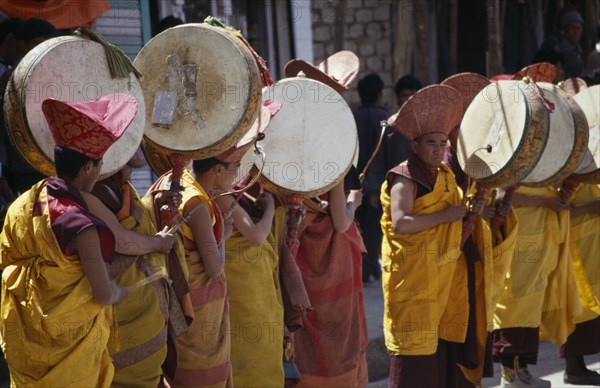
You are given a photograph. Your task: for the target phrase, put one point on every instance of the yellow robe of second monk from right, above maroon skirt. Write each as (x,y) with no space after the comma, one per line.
(540,288)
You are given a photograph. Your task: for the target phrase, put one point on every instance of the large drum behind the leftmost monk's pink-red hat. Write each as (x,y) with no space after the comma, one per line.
(71,69)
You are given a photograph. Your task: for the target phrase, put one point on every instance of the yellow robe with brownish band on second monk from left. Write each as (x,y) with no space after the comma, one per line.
(142,317)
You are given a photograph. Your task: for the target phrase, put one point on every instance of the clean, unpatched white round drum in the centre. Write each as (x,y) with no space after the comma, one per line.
(310,144)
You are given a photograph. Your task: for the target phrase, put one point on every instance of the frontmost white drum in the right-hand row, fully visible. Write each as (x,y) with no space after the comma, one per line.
(503,133)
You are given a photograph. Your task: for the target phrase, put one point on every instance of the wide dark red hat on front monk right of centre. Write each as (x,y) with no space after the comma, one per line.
(433,109)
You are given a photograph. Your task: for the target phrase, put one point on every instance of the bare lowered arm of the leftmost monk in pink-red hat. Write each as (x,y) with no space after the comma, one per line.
(87,246)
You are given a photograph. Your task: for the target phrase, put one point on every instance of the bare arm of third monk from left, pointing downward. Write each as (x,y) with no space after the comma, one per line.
(201,224)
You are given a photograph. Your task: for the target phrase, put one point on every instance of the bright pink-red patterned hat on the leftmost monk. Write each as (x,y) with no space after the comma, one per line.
(90,127)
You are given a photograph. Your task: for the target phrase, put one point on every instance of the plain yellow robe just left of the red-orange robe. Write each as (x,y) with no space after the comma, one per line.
(256,308)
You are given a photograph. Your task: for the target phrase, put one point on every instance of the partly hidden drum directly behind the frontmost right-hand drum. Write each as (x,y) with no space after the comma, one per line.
(567,140)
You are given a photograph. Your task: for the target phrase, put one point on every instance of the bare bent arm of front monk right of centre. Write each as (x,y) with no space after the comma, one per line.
(404,221)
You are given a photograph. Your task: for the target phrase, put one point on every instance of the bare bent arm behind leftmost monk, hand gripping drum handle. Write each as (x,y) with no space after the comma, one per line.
(128,241)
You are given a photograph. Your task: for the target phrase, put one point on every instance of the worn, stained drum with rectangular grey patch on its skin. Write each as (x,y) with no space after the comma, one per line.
(202,88)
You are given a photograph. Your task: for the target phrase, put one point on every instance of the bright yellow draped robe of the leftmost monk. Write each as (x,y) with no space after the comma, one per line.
(52,332)
